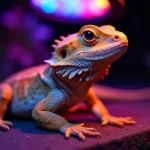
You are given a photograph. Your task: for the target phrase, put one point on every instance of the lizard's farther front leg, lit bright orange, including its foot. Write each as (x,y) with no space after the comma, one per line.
(102,113)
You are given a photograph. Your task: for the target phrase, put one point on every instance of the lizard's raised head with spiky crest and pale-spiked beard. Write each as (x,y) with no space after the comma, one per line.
(86,55)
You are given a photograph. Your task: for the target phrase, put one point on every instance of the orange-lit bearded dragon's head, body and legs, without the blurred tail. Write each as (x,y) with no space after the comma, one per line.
(45,91)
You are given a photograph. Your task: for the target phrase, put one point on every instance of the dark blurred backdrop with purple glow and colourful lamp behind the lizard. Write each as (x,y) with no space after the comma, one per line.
(29,27)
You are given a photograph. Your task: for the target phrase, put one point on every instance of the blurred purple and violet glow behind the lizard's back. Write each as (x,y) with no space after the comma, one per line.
(25,40)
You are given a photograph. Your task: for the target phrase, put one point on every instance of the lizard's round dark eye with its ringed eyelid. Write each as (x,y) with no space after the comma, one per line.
(89,37)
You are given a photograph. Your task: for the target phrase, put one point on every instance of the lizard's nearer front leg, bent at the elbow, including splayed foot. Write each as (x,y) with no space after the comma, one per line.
(44,114)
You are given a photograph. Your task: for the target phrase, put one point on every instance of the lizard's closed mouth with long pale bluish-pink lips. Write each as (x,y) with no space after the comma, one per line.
(117,51)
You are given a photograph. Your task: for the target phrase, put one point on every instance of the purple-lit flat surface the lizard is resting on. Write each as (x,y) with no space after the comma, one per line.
(26,134)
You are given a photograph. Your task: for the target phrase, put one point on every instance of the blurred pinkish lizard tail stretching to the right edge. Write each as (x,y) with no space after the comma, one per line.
(117,94)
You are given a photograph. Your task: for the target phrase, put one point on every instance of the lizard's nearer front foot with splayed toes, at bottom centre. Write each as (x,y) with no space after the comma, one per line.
(80,131)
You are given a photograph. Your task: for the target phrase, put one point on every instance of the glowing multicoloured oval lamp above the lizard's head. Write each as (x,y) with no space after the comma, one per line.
(72,10)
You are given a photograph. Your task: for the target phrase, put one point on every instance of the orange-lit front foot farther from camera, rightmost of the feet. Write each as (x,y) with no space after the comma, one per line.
(117,121)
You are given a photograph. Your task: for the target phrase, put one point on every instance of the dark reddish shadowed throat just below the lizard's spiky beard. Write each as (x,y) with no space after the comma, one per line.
(78,87)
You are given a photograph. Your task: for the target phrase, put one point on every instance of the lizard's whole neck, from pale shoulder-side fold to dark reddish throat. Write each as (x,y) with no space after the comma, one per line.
(74,87)
